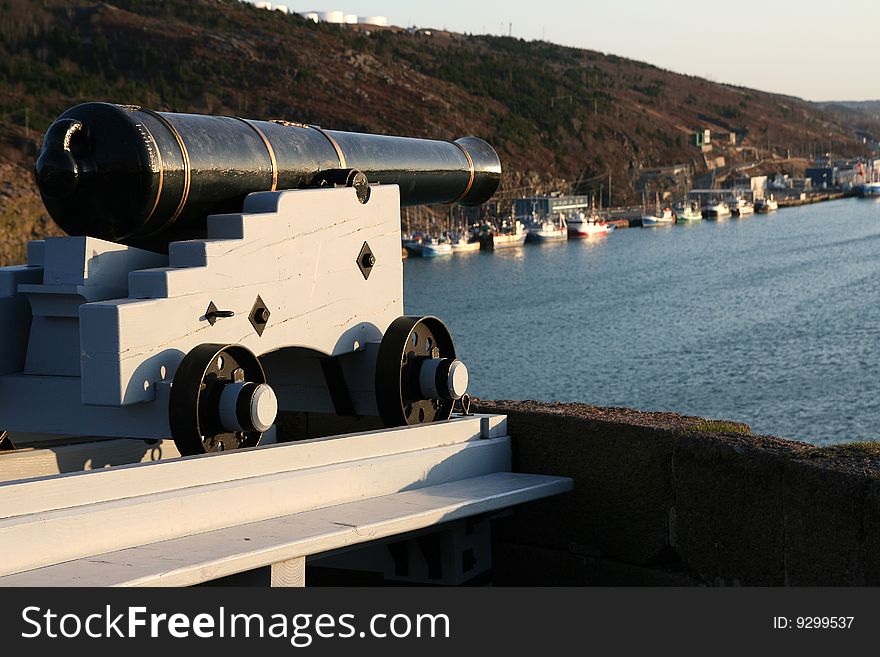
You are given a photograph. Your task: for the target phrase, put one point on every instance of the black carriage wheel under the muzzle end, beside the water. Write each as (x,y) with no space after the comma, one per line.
(408,344)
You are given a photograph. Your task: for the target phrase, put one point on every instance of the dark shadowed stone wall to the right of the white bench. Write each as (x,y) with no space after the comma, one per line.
(663,499)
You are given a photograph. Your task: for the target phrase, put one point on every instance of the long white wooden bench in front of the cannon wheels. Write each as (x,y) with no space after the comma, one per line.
(192,520)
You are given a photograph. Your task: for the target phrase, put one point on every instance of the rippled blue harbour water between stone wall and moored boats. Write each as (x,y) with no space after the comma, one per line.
(773,320)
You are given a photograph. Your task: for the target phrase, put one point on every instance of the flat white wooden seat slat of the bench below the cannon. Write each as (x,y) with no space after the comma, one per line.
(211,555)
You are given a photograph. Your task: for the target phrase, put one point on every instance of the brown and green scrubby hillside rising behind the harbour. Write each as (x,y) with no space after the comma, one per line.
(561,118)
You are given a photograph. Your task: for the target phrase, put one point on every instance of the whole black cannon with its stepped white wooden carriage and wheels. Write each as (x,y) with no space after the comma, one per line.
(217,270)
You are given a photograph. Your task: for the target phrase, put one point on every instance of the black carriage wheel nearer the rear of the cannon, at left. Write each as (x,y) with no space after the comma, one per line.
(195,406)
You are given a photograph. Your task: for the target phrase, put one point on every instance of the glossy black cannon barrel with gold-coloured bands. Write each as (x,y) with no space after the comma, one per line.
(136,176)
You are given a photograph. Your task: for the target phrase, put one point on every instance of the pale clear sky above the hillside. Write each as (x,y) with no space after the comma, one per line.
(814,50)
